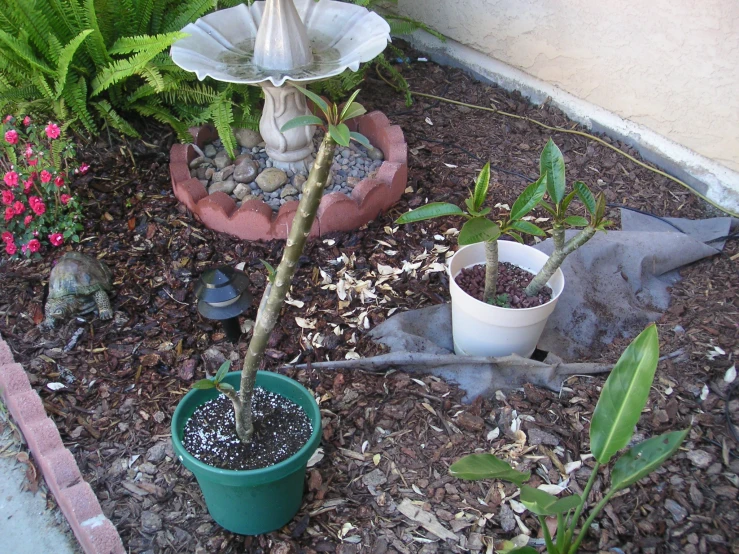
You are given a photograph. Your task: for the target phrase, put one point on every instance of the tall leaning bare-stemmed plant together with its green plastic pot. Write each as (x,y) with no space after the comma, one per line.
(255,501)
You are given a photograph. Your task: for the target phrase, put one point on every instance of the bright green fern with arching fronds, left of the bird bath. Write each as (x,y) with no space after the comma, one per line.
(94,63)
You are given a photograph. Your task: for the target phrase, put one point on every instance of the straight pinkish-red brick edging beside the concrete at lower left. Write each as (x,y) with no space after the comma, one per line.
(95,533)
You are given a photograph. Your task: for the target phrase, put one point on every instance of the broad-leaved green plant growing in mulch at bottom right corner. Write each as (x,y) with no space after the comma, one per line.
(617,412)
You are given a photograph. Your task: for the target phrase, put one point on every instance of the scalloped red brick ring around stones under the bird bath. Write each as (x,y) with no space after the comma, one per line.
(255,220)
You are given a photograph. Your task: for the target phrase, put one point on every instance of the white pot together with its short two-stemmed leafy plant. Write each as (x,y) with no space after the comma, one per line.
(499,319)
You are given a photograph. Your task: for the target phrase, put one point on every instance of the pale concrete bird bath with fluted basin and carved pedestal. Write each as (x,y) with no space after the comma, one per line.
(275,43)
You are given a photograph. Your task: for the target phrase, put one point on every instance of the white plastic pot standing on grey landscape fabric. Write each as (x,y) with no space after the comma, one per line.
(480,329)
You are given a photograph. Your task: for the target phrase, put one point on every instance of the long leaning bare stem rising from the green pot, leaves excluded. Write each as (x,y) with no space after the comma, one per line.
(306,213)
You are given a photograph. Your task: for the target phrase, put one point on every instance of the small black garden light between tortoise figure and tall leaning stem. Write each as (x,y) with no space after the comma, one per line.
(222,295)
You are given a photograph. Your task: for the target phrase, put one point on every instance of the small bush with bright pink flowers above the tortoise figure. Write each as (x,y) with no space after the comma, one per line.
(38,207)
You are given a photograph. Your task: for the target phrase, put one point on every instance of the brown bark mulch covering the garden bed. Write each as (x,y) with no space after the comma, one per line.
(390,437)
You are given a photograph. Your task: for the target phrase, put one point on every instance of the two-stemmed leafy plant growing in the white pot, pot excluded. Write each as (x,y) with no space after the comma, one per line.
(479,228)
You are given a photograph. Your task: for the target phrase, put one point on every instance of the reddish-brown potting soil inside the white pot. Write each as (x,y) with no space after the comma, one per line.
(512,281)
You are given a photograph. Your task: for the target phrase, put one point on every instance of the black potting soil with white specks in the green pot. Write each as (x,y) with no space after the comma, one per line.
(281,428)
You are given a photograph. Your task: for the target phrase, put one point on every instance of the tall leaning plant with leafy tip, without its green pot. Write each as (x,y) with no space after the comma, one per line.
(280,279)
